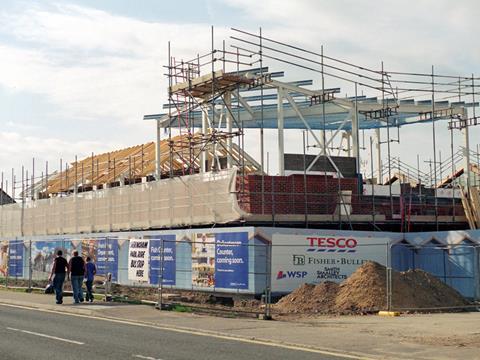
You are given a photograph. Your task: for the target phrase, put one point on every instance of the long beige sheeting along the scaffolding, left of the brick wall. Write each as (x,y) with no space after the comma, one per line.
(188,200)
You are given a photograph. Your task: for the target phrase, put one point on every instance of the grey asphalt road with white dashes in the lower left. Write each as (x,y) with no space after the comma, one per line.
(31,334)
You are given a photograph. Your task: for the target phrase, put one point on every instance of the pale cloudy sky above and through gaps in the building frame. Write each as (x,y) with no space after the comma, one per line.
(76,77)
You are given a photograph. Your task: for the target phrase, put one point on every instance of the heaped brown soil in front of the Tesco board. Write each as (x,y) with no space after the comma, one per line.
(365,291)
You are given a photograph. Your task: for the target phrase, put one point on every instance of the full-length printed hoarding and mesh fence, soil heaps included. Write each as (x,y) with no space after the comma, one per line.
(231,272)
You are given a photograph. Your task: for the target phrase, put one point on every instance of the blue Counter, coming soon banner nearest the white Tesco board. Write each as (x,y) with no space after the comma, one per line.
(231,260)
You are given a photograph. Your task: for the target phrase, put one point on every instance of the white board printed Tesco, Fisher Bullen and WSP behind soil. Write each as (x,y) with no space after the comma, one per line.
(299,259)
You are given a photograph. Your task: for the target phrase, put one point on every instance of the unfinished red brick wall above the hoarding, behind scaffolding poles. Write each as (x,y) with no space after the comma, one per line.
(318,194)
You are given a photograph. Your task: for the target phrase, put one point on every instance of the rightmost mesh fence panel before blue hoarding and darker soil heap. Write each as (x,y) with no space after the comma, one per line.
(434,277)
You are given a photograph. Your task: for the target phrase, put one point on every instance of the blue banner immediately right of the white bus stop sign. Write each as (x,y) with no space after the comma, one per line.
(168,259)
